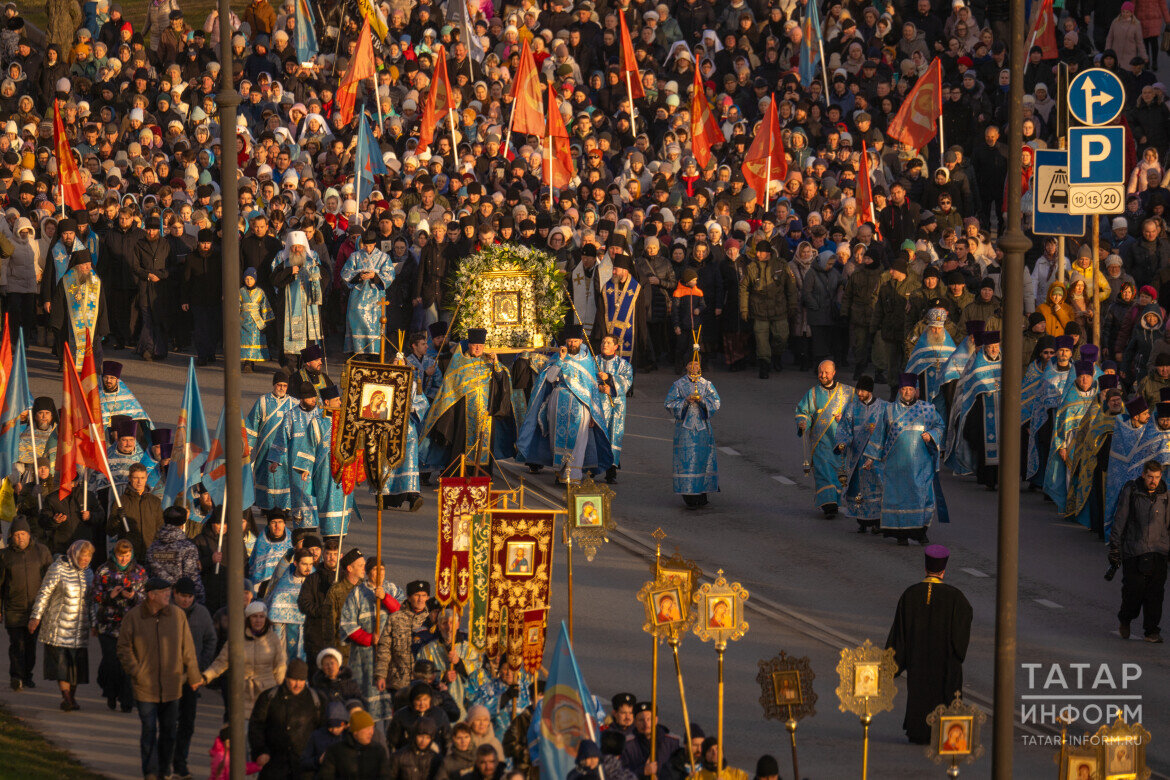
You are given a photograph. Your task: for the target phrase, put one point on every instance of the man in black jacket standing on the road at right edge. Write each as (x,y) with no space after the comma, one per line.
(1140,543)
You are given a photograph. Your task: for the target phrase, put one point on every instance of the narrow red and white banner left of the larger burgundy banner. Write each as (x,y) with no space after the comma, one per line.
(462,506)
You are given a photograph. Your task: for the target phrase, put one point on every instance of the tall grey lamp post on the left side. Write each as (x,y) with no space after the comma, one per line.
(229,100)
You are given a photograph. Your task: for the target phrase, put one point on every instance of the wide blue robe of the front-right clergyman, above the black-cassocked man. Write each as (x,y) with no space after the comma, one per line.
(912,496)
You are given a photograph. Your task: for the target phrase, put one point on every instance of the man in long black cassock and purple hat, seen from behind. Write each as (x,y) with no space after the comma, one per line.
(931,633)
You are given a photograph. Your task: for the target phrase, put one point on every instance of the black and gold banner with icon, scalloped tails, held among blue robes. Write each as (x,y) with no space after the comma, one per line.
(376,410)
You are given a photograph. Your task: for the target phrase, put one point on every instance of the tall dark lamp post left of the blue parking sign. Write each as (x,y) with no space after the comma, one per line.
(1014,244)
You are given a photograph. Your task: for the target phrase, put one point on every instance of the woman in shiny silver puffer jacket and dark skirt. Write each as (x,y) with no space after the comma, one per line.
(63,613)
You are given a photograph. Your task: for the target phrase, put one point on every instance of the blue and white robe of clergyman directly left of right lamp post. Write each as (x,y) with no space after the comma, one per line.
(982,378)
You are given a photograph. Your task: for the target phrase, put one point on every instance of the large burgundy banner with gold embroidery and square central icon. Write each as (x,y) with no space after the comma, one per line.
(520,568)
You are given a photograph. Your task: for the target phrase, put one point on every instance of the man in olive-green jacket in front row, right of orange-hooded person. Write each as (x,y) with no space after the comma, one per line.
(768,299)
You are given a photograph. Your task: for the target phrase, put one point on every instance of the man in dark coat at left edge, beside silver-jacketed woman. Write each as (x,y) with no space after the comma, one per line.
(23,567)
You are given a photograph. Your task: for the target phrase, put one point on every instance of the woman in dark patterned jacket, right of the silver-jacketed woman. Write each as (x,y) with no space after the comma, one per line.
(118,588)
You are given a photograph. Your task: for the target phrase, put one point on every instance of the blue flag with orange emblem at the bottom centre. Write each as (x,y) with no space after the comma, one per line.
(565,716)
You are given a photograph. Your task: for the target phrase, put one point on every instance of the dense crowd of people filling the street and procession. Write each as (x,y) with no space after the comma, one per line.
(670,258)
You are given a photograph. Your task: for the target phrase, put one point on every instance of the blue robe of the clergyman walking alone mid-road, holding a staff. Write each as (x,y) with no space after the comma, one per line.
(694,468)
